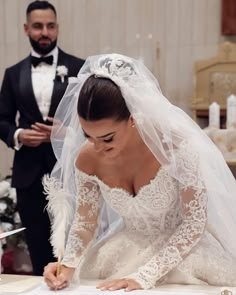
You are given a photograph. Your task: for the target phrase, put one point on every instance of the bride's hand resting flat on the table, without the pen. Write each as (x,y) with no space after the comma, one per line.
(127,284)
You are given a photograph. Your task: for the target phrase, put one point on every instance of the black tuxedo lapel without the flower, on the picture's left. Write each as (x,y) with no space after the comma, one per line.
(26,90)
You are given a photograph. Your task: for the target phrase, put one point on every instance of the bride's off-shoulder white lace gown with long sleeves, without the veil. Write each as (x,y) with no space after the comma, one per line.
(164,238)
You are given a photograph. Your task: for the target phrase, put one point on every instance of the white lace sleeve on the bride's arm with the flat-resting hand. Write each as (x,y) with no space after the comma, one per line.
(186,235)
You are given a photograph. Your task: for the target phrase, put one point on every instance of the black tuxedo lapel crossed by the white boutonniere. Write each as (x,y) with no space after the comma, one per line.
(59,86)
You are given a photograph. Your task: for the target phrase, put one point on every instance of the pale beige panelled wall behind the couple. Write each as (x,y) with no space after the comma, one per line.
(168,35)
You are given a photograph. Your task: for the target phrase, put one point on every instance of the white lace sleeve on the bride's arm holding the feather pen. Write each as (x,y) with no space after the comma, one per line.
(84,225)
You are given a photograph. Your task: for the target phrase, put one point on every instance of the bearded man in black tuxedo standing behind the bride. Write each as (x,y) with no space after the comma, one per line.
(30,93)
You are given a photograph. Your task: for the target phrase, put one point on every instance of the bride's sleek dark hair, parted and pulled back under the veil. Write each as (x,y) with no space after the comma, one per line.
(101,98)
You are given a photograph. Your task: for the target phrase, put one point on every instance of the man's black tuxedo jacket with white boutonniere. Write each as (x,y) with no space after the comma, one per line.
(19,109)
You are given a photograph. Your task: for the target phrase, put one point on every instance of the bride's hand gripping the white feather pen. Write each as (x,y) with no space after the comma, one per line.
(57,282)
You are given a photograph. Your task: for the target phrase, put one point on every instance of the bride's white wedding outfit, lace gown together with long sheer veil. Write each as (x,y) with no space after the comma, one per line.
(179,228)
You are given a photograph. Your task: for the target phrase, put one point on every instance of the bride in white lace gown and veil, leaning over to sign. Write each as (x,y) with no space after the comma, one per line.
(139,196)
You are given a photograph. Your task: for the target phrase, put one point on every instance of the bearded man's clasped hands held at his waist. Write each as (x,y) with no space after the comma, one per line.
(32,138)
